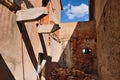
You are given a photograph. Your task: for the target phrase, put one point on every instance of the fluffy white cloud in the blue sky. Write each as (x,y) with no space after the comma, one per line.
(76,11)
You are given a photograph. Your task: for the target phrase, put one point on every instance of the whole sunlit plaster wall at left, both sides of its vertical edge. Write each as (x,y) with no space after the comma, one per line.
(15,49)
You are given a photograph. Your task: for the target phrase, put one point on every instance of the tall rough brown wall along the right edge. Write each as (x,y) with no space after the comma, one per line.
(108,41)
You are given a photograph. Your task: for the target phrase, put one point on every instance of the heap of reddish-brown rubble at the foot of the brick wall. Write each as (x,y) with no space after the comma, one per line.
(70,74)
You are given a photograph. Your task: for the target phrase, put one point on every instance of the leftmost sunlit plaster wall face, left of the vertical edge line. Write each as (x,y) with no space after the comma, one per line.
(10,43)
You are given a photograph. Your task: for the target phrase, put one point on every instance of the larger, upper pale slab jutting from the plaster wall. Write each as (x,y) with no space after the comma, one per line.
(31,14)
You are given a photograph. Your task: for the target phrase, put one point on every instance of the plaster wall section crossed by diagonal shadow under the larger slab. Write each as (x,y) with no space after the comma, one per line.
(31,44)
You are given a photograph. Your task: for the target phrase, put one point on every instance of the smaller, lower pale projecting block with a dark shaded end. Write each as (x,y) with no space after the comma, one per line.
(48,28)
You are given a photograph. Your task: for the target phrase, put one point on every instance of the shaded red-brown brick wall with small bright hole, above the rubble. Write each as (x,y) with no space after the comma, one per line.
(84,36)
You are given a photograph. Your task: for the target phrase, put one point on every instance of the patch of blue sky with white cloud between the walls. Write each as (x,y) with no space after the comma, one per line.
(74,10)
